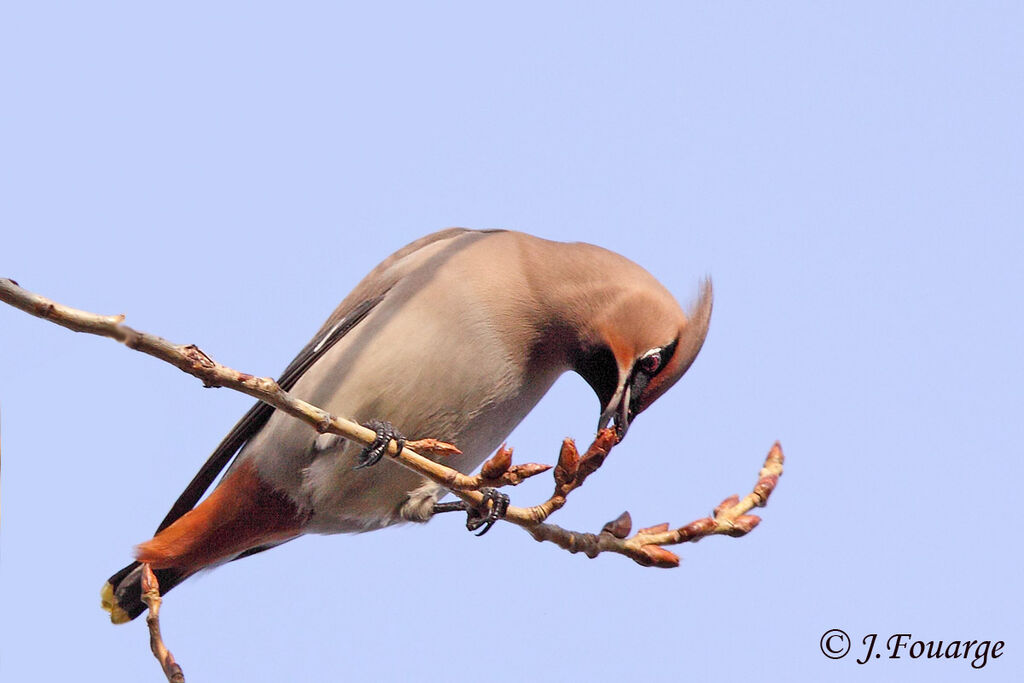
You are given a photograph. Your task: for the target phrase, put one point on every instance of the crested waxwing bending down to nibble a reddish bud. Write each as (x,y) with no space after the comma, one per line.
(456,336)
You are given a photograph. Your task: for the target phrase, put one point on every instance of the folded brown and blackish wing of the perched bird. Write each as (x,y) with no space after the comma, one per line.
(368,294)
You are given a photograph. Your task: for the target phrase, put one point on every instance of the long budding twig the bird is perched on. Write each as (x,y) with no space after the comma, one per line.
(645,548)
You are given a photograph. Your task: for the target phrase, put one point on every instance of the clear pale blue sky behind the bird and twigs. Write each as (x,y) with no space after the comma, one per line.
(850,177)
